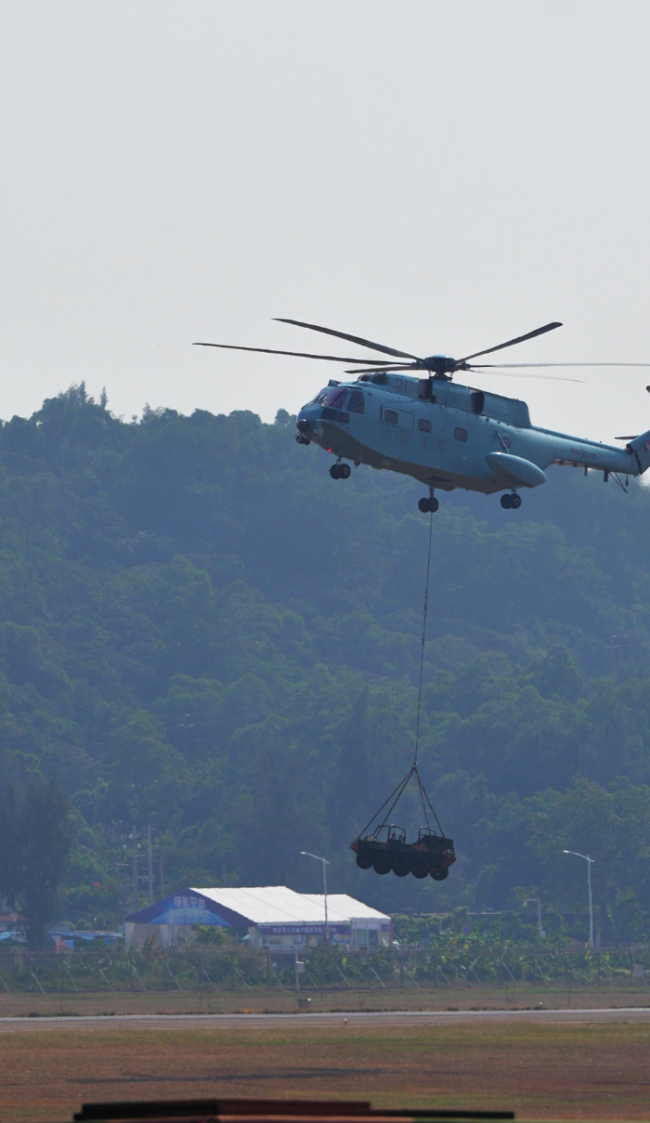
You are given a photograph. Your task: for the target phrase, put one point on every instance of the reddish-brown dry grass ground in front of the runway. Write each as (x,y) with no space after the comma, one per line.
(551,1072)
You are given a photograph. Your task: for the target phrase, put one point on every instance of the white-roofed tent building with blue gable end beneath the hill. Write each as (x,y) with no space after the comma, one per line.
(274,917)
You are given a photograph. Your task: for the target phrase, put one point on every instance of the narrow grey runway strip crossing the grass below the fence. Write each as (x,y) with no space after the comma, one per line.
(378,1019)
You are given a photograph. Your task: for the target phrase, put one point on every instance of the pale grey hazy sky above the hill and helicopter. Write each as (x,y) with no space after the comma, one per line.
(435,175)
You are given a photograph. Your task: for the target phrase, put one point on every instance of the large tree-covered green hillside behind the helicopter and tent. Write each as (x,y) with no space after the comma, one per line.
(204,633)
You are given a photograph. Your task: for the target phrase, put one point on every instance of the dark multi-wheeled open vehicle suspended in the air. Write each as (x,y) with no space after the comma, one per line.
(432,854)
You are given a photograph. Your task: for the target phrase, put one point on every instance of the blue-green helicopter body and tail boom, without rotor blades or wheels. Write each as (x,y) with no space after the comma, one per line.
(451,436)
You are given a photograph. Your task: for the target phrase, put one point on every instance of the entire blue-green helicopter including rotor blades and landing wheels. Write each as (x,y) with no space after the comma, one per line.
(443,434)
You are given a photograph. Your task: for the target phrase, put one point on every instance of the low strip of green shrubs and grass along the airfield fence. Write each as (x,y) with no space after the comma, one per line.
(207,969)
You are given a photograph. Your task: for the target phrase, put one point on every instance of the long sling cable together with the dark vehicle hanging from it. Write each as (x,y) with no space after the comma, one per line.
(382,845)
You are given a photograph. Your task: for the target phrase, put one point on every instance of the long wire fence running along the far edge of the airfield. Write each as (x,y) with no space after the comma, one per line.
(188,969)
